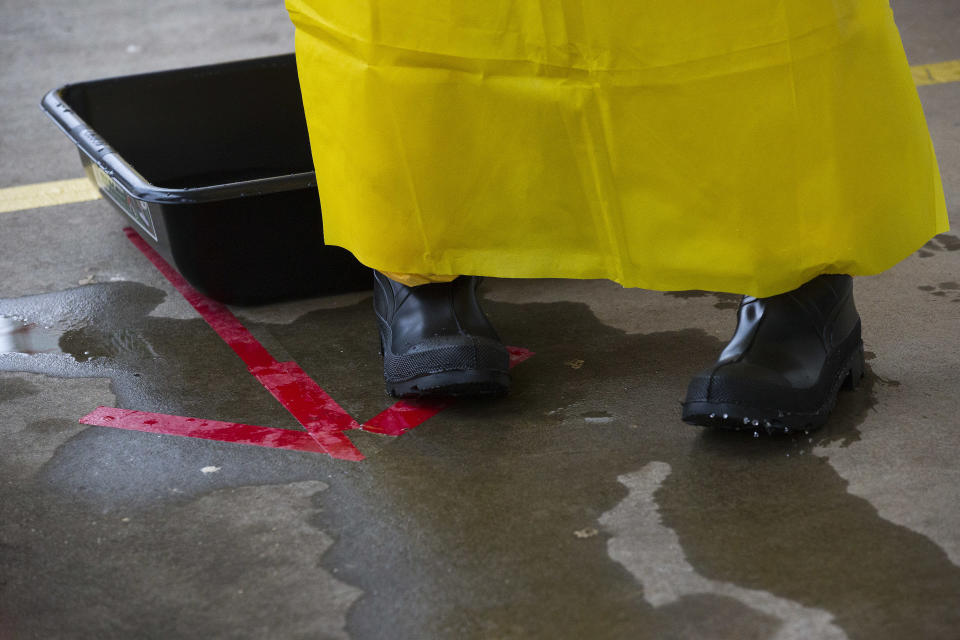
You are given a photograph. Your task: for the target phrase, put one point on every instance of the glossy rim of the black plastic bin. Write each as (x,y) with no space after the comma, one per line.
(100,154)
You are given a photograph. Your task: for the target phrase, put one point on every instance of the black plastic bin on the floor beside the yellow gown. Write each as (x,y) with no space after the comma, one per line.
(213,166)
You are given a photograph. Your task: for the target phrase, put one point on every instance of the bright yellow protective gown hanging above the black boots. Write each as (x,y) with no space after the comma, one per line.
(742,146)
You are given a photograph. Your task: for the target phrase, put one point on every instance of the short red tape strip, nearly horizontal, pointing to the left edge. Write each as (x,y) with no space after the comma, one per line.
(206,429)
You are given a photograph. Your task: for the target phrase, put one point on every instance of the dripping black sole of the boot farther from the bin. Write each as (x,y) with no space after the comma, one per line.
(739,417)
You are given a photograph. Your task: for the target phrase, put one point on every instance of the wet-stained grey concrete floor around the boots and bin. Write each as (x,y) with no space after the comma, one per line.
(579,506)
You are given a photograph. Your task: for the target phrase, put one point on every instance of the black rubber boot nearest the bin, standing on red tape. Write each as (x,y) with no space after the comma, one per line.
(436,340)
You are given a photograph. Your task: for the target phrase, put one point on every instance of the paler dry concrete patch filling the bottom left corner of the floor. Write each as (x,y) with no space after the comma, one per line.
(255,570)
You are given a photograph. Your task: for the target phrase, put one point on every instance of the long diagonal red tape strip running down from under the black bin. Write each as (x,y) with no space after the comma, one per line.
(320,415)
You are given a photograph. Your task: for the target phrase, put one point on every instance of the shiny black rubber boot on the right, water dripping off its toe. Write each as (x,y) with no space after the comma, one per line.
(786,362)
